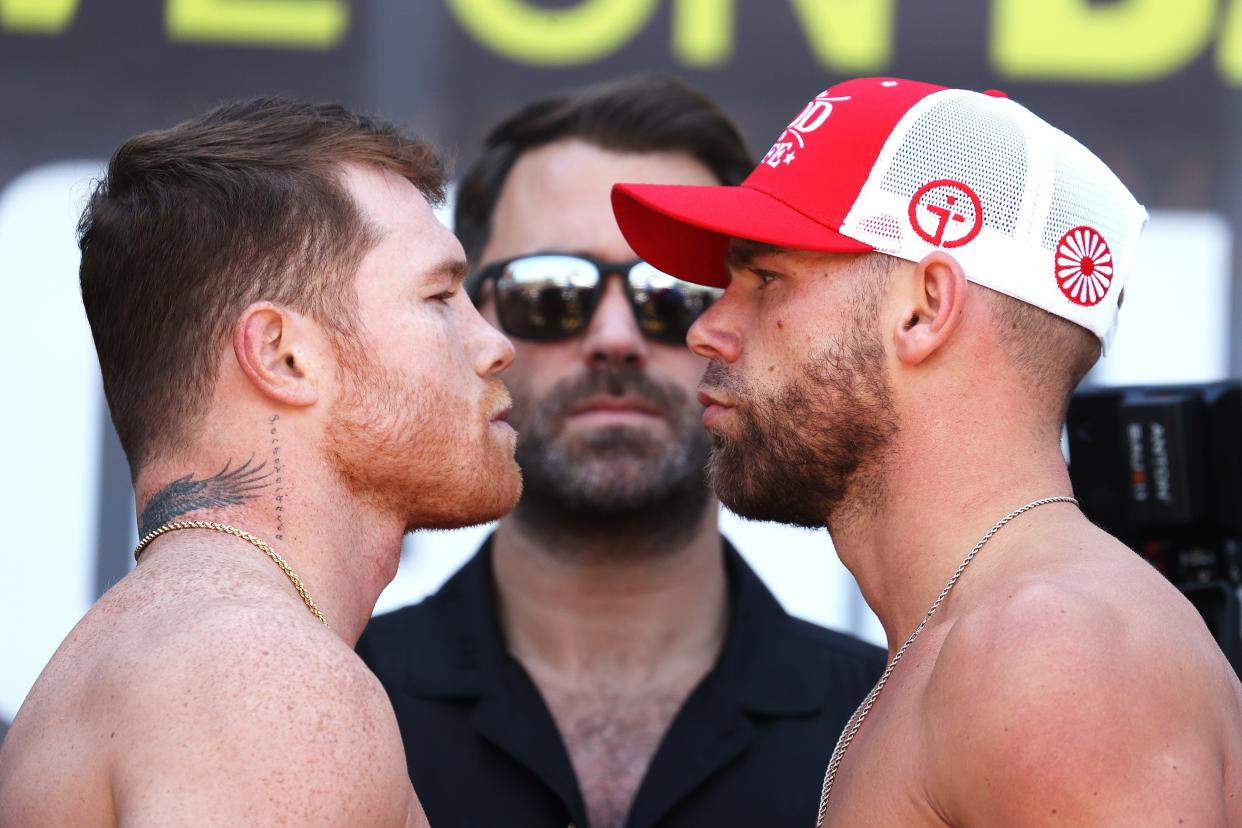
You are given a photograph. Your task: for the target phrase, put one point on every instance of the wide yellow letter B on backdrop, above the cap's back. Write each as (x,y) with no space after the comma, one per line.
(1126,42)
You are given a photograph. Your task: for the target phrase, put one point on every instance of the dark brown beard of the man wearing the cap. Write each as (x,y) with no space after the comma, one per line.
(809,455)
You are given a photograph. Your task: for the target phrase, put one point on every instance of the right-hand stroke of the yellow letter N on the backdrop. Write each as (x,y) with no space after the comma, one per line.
(849,35)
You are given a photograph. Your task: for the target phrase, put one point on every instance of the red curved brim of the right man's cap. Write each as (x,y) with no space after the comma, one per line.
(686,230)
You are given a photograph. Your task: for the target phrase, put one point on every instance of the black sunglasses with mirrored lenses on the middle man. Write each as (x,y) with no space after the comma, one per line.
(552,296)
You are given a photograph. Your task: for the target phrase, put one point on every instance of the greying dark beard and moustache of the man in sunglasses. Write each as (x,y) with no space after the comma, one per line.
(618,488)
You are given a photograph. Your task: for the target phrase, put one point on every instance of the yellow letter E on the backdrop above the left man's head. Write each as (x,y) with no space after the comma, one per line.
(295,24)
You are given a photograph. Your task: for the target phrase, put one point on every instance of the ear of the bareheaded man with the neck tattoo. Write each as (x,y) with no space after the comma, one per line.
(275,348)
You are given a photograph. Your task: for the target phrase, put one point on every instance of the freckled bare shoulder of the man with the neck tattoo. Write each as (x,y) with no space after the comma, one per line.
(250,719)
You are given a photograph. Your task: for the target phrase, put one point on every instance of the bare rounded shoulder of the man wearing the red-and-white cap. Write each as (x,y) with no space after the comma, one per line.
(1089,692)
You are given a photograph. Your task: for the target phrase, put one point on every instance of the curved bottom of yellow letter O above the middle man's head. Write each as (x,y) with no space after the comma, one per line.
(527,34)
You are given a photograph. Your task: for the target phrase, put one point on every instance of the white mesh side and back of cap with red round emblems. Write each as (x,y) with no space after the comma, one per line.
(1034,183)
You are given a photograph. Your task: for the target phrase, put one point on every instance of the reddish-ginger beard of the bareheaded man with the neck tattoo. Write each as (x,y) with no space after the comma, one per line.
(412,454)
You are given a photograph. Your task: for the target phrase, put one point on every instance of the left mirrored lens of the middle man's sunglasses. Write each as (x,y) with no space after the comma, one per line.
(546,297)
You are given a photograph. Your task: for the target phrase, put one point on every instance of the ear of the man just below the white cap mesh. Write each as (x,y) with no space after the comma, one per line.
(933,301)
